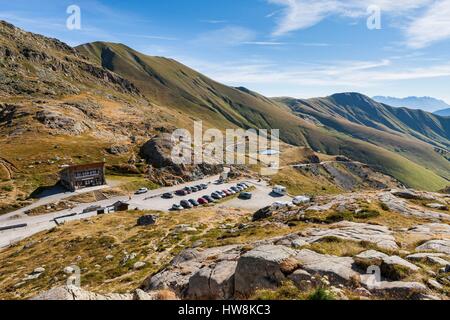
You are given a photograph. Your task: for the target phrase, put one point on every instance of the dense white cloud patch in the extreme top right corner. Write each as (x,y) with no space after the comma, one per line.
(432,26)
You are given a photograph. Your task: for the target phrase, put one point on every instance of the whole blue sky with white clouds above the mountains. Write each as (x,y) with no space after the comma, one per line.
(299,48)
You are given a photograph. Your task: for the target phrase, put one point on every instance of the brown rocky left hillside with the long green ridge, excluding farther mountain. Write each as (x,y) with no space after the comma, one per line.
(61,105)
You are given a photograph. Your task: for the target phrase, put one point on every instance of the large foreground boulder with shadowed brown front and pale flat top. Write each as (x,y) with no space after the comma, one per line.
(261,268)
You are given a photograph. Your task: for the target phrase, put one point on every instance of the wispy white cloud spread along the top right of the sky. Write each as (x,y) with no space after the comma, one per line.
(424,21)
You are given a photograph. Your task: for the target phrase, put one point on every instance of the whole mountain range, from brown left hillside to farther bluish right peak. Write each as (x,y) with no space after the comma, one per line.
(78,101)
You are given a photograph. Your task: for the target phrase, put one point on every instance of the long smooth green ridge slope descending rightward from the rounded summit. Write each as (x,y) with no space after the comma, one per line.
(169,83)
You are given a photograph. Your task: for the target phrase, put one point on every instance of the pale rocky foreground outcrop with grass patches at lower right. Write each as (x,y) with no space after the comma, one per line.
(392,262)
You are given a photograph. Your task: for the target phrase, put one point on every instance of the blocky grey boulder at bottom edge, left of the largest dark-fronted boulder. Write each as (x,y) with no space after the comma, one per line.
(215,282)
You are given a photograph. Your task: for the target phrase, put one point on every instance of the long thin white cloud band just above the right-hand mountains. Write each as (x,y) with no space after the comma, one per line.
(348,73)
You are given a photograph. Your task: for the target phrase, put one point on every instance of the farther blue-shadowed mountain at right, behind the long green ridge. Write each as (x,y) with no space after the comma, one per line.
(359,117)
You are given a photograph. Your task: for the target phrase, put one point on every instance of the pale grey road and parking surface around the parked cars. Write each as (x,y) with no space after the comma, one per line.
(149,201)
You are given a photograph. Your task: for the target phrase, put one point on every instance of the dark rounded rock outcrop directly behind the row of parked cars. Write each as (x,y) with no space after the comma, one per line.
(163,170)
